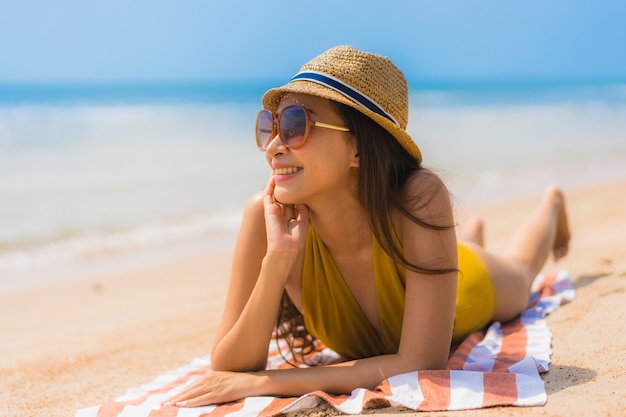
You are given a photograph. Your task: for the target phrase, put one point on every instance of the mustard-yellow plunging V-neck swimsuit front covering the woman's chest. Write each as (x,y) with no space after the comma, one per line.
(332,314)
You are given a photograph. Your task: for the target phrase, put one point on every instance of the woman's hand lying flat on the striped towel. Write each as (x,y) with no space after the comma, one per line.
(215,387)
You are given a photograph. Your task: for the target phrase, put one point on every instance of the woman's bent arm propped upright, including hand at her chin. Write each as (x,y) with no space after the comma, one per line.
(258,277)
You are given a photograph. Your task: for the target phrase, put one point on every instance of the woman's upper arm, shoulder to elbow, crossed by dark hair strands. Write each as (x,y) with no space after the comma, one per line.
(430,299)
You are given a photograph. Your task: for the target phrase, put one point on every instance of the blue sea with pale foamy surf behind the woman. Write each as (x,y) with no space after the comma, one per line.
(95,176)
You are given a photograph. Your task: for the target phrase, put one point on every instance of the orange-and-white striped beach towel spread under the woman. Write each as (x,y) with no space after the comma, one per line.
(500,366)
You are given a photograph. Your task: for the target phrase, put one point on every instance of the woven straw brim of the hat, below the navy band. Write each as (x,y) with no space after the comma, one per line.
(271,100)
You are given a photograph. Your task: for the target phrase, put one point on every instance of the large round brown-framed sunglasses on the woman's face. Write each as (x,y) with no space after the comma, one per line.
(292,124)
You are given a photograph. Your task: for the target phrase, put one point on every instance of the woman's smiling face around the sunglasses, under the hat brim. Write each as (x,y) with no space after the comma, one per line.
(324,166)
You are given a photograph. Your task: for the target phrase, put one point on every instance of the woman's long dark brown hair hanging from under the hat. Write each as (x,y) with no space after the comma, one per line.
(384,168)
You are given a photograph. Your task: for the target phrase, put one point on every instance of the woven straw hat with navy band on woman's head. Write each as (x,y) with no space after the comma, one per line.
(367,82)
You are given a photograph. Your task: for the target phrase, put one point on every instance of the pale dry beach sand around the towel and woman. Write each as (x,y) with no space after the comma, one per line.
(80,342)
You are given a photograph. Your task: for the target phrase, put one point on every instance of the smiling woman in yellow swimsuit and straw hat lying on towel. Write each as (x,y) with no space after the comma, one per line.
(358,239)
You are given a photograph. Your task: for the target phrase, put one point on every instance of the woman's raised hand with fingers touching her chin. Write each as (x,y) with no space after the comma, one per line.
(286,224)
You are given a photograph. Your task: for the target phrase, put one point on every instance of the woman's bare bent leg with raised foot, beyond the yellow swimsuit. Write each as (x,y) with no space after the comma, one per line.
(545,231)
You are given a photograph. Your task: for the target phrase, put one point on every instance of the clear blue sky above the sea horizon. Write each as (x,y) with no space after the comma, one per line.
(151,40)
